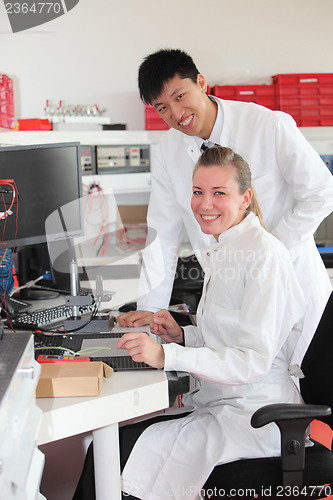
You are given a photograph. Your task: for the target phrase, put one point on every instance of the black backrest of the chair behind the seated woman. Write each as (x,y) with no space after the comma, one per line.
(317,365)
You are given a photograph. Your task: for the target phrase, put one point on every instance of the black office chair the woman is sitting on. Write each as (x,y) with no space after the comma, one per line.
(298,470)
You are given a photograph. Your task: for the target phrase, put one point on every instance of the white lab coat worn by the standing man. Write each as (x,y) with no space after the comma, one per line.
(294,188)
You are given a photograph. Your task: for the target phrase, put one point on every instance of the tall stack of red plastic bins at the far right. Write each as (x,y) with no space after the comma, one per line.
(307,97)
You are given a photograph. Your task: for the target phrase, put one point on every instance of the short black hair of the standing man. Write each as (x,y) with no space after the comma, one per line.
(156,69)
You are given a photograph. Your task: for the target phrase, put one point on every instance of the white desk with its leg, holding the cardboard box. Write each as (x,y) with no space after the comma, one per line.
(124,396)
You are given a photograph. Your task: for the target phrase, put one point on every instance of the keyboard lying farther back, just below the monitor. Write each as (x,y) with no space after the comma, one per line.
(46,318)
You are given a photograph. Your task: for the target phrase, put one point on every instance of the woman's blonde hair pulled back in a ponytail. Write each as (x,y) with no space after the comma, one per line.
(223,157)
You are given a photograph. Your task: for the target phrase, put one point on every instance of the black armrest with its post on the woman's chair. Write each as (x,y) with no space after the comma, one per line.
(293,421)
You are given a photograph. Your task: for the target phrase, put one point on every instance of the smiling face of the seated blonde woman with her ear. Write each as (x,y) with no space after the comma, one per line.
(216,202)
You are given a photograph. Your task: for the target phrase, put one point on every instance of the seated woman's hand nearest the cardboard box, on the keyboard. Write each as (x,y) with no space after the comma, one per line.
(142,349)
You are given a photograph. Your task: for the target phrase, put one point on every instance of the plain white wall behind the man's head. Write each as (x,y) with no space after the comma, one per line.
(91,54)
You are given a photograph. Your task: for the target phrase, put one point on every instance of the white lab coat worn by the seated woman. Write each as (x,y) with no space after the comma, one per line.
(251,302)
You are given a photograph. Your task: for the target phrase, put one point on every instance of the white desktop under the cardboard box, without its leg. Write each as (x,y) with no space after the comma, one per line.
(125,395)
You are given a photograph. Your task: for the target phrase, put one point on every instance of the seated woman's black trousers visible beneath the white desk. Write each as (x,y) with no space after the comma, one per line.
(128,435)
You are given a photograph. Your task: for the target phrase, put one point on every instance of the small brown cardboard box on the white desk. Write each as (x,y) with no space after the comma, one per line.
(72,379)
